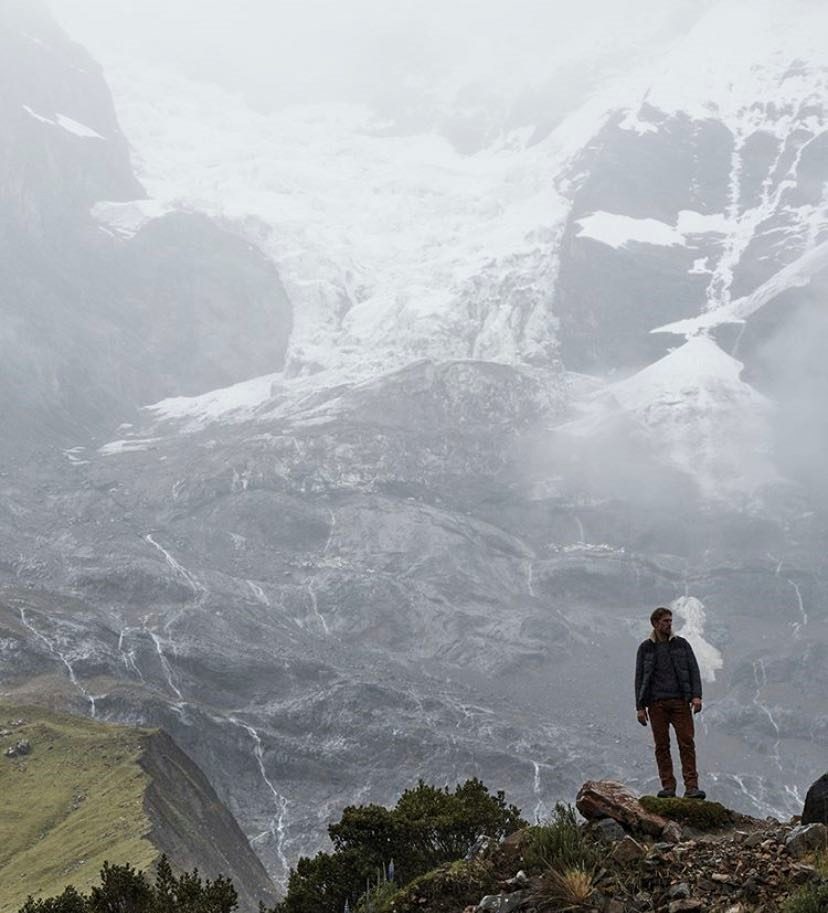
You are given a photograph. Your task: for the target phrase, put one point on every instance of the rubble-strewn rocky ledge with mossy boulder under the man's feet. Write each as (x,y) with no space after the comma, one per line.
(635,854)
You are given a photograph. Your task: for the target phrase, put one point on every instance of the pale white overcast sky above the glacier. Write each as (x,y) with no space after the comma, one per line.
(279,51)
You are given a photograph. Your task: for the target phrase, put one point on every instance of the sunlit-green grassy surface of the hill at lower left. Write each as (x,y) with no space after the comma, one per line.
(74,801)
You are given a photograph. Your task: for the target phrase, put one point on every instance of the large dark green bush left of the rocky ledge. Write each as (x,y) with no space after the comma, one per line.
(428,826)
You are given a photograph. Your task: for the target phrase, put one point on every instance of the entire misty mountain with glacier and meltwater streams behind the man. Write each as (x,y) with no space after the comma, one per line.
(429,546)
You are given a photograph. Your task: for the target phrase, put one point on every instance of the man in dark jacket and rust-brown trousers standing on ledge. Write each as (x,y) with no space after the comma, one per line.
(667,685)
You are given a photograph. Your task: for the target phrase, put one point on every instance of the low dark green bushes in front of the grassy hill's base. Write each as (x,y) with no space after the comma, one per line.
(125,890)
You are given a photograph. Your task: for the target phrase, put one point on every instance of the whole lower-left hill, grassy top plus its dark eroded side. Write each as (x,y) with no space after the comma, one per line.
(79,792)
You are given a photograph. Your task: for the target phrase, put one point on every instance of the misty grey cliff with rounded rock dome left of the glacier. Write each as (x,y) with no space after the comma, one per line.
(95,325)
